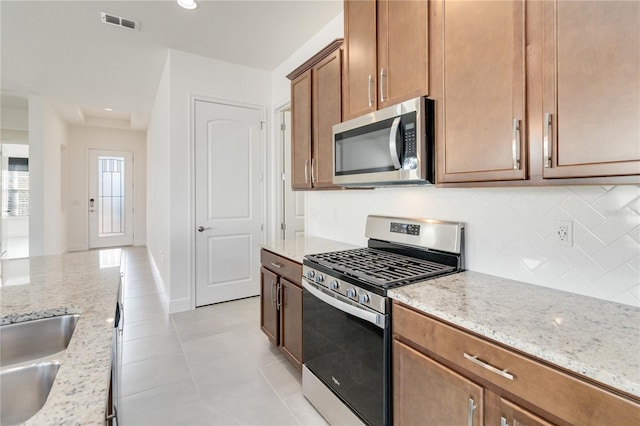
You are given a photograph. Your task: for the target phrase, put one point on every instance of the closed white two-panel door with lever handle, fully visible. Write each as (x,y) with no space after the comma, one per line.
(228,189)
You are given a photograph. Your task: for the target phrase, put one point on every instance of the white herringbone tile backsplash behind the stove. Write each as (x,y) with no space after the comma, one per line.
(510,231)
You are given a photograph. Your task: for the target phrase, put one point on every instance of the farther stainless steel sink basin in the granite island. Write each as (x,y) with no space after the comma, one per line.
(31,340)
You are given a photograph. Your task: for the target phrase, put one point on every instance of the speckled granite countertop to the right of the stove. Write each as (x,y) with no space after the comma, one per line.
(594,338)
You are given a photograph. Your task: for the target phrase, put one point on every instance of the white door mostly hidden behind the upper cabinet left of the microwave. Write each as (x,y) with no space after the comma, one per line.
(293,201)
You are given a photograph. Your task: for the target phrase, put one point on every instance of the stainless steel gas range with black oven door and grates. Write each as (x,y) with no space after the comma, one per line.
(347,314)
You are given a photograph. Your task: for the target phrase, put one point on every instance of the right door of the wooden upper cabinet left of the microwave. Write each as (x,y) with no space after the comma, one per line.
(327,111)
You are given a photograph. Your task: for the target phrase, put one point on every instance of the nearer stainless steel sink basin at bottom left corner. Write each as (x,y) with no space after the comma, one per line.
(24,390)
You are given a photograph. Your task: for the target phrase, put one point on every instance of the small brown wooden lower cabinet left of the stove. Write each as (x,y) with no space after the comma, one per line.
(281,304)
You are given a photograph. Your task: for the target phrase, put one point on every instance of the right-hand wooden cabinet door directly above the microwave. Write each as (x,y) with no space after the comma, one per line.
(403,71)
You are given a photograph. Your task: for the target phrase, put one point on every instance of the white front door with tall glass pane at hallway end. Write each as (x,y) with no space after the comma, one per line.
(110,198)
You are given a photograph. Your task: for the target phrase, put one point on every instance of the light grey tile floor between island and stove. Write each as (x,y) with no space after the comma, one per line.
(208,366)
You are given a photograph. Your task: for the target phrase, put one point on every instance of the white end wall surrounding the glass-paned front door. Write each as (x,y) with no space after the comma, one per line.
(81,139)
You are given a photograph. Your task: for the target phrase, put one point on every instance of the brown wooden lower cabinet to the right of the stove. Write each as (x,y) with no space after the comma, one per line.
(441,372)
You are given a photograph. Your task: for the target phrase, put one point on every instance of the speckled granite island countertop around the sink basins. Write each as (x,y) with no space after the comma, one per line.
(84,283)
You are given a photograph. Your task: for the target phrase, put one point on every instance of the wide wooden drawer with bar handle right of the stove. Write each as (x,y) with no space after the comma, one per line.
(569,398)
